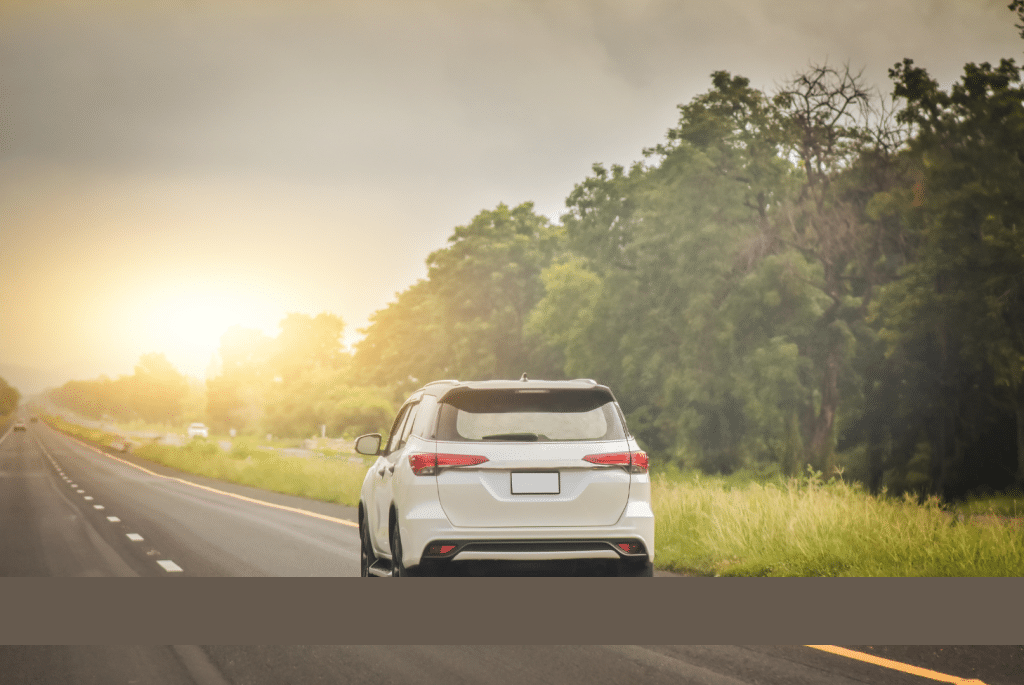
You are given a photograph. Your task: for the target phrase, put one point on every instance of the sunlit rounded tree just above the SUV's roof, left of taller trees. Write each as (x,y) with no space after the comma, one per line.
(467,319)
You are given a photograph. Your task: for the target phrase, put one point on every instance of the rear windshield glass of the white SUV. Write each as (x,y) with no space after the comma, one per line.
(529,416)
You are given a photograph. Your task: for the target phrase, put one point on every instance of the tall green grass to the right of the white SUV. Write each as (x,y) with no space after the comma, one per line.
(809,528)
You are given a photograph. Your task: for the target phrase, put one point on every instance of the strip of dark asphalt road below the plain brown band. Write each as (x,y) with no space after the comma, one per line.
(594,665)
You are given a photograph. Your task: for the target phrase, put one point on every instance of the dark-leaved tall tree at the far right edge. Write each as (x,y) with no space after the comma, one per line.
(960,305)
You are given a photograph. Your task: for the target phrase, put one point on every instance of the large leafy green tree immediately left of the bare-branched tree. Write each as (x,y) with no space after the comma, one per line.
(671,242)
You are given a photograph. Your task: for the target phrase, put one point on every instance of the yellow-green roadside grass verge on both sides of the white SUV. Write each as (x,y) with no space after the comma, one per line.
(747,525)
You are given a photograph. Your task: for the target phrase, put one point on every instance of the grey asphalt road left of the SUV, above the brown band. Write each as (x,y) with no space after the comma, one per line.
(70,511)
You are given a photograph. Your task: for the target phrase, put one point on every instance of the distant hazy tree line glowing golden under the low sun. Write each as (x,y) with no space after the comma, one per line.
(294,386)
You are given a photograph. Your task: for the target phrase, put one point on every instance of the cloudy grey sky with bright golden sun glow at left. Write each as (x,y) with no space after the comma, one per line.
(172,168)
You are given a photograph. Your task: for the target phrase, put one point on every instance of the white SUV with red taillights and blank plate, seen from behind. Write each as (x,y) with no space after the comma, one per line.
(506,472)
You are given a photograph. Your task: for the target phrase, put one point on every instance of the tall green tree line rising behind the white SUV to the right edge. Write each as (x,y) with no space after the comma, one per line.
(815,277)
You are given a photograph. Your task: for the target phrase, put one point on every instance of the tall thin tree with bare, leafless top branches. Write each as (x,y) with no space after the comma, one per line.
(843,141)
